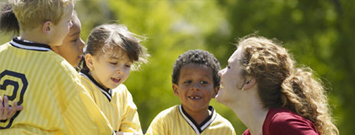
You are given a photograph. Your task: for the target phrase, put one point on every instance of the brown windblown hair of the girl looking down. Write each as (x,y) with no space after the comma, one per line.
(109,38)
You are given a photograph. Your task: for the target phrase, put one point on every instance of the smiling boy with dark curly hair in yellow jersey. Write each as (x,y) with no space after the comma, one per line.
(195,81)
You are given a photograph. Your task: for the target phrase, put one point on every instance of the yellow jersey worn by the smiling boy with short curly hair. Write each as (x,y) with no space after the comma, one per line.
(175,121)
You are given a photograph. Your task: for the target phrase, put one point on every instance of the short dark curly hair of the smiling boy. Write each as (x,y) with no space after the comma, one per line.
(197,57)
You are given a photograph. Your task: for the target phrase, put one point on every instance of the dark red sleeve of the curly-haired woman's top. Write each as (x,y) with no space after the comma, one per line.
(289,125)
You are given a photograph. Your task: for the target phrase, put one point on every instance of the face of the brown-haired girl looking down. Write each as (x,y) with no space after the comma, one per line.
(110,71)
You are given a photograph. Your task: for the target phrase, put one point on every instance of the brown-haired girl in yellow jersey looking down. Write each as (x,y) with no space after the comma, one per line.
(110,54)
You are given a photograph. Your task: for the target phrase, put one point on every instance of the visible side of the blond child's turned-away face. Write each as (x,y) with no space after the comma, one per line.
(60,30)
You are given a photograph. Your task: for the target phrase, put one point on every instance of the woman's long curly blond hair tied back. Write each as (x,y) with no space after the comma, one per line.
(281,84)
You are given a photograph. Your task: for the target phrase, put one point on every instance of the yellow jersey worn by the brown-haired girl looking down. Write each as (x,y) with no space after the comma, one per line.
(117,104)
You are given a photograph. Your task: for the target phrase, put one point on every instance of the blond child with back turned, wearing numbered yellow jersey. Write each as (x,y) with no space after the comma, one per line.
(41,81)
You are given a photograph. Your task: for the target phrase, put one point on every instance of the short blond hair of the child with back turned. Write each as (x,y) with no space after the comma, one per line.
(33,13)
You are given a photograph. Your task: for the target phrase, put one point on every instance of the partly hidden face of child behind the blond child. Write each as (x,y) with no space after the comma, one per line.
(72,47)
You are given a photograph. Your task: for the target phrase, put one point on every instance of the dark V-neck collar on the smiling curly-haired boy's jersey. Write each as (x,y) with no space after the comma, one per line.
(198,128)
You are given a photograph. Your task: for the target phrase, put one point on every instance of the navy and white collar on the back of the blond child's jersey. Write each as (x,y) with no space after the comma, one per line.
(28,45)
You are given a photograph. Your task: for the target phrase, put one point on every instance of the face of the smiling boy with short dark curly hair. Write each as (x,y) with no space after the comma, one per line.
(195,87)
